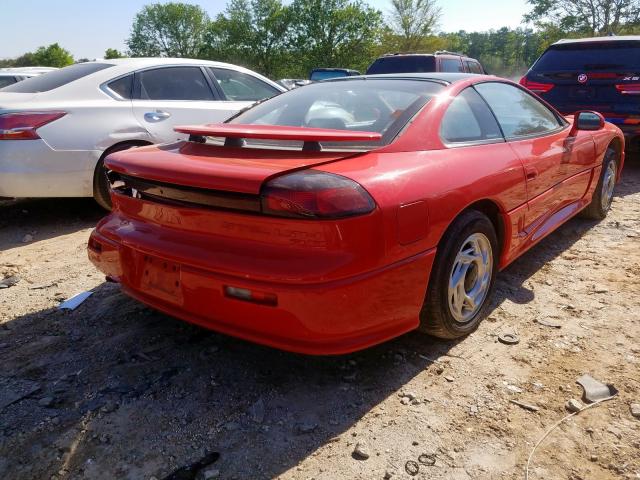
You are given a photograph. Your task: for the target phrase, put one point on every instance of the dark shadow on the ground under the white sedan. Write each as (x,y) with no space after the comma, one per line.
(45,218)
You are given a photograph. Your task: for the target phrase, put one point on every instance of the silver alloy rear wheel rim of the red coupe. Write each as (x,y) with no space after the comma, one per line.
(470,277)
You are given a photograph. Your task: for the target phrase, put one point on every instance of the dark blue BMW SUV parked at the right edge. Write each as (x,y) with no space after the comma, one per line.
(601,74)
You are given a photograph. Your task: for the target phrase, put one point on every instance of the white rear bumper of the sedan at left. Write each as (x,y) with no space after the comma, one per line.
(31,168)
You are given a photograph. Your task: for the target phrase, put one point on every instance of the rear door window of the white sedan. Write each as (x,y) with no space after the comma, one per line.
(174,83)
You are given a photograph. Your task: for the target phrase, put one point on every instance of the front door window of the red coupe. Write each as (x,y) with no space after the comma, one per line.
(518,113)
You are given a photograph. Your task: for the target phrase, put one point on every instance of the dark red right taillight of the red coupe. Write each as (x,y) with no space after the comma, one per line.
(314,194)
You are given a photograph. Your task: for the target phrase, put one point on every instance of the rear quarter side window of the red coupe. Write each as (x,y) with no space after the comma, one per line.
(468,119)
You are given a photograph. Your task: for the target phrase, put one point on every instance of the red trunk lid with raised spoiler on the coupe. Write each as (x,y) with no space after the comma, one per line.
(229,168)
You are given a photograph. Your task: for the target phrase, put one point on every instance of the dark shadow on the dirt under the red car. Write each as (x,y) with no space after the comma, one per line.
(166,394)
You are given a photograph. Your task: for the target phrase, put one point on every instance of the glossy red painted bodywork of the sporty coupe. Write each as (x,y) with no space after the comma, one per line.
(341,285)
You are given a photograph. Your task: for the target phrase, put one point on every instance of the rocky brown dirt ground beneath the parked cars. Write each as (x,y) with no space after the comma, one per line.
(115,390)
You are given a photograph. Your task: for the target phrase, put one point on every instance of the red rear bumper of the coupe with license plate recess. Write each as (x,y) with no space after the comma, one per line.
(325,318)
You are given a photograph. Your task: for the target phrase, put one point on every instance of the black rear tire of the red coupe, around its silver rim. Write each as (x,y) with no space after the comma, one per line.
(436,317)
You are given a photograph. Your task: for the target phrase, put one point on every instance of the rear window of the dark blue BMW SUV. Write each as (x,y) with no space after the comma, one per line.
(612,56)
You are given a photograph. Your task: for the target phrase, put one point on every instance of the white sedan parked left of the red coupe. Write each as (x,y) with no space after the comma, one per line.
(56,129)
